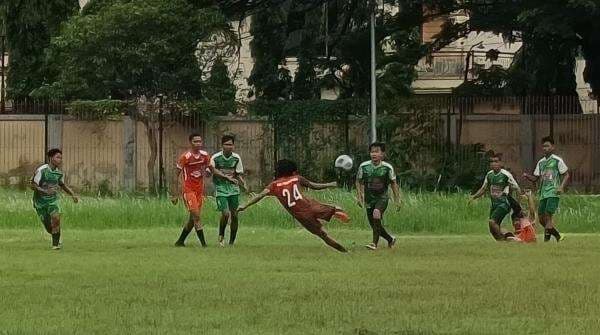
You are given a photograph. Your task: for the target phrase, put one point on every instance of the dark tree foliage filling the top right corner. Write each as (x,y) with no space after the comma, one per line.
(553,32)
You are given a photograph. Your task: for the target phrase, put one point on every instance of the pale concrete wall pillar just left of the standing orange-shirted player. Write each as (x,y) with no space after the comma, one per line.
(129,153)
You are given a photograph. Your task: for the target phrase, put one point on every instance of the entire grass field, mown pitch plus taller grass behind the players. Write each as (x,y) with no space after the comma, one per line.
(118,273)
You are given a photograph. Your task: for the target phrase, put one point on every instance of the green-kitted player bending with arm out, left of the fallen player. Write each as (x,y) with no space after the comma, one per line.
(499,182)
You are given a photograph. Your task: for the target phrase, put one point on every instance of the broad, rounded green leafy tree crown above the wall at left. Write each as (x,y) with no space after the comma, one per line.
(134,48)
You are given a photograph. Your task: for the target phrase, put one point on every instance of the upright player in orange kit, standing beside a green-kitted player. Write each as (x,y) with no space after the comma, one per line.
(192,165)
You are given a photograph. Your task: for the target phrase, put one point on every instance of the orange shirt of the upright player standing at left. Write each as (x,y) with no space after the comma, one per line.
(193,167)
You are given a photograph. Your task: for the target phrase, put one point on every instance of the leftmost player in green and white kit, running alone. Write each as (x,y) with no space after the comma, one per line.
(45,183)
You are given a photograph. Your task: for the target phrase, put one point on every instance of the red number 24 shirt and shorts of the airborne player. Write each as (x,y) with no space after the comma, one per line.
(307,211)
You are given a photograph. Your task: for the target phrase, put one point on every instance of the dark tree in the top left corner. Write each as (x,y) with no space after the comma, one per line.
(29,26)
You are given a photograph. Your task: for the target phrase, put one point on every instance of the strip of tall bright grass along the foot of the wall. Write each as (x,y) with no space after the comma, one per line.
(421,213)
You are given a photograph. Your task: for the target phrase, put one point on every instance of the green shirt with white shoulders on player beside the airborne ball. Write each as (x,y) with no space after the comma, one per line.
(377,179)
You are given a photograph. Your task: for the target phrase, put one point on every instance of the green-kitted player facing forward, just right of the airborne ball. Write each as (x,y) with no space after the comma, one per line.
(373,179)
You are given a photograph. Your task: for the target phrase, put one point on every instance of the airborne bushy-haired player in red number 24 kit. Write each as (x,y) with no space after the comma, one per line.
(311,214)
